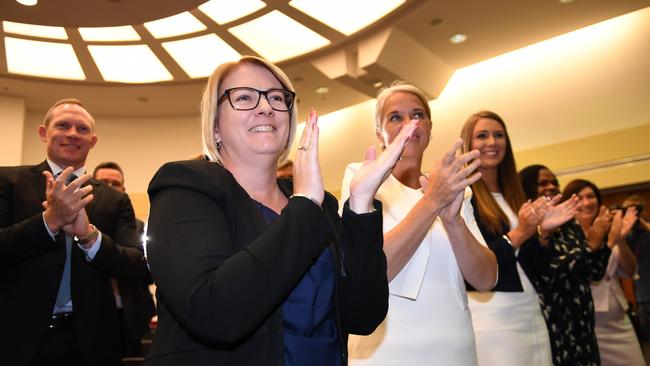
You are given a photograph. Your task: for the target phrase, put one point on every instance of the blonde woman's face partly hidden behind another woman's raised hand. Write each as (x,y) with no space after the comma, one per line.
(399,109)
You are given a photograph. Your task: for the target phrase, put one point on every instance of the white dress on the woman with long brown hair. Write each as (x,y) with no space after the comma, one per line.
(509,327)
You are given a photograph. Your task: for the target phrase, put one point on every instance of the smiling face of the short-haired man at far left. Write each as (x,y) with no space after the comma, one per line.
(69,135)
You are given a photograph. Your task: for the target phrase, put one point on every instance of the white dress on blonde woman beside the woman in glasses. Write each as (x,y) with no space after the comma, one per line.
(428,322)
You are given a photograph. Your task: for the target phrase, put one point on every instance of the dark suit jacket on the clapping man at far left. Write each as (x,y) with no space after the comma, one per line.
(31,265)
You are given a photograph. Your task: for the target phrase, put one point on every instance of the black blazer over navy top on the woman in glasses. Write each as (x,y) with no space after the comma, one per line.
(222,273)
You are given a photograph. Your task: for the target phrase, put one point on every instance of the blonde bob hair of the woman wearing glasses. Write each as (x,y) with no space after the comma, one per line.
(210,105)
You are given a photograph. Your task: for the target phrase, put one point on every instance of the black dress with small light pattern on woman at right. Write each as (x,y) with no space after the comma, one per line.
(566,299)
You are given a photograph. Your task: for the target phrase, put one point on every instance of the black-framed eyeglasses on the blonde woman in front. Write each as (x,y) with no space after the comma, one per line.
(245,98)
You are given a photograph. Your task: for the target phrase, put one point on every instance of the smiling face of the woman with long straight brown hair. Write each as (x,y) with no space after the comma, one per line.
(489,137)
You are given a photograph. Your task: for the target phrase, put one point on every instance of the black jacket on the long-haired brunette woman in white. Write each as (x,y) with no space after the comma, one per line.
(532,256)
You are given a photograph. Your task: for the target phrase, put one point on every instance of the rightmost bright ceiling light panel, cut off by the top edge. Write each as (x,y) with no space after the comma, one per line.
(357,15)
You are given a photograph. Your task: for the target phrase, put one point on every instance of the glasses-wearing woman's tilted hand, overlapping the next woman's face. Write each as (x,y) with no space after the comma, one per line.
(376,169)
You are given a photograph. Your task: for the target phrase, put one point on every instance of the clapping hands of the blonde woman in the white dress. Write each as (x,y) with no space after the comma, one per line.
(450,175)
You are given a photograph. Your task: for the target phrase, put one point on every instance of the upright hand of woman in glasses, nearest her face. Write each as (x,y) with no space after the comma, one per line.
(307,177)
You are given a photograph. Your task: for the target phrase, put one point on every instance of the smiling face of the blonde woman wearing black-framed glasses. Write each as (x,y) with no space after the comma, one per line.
(253,133)
